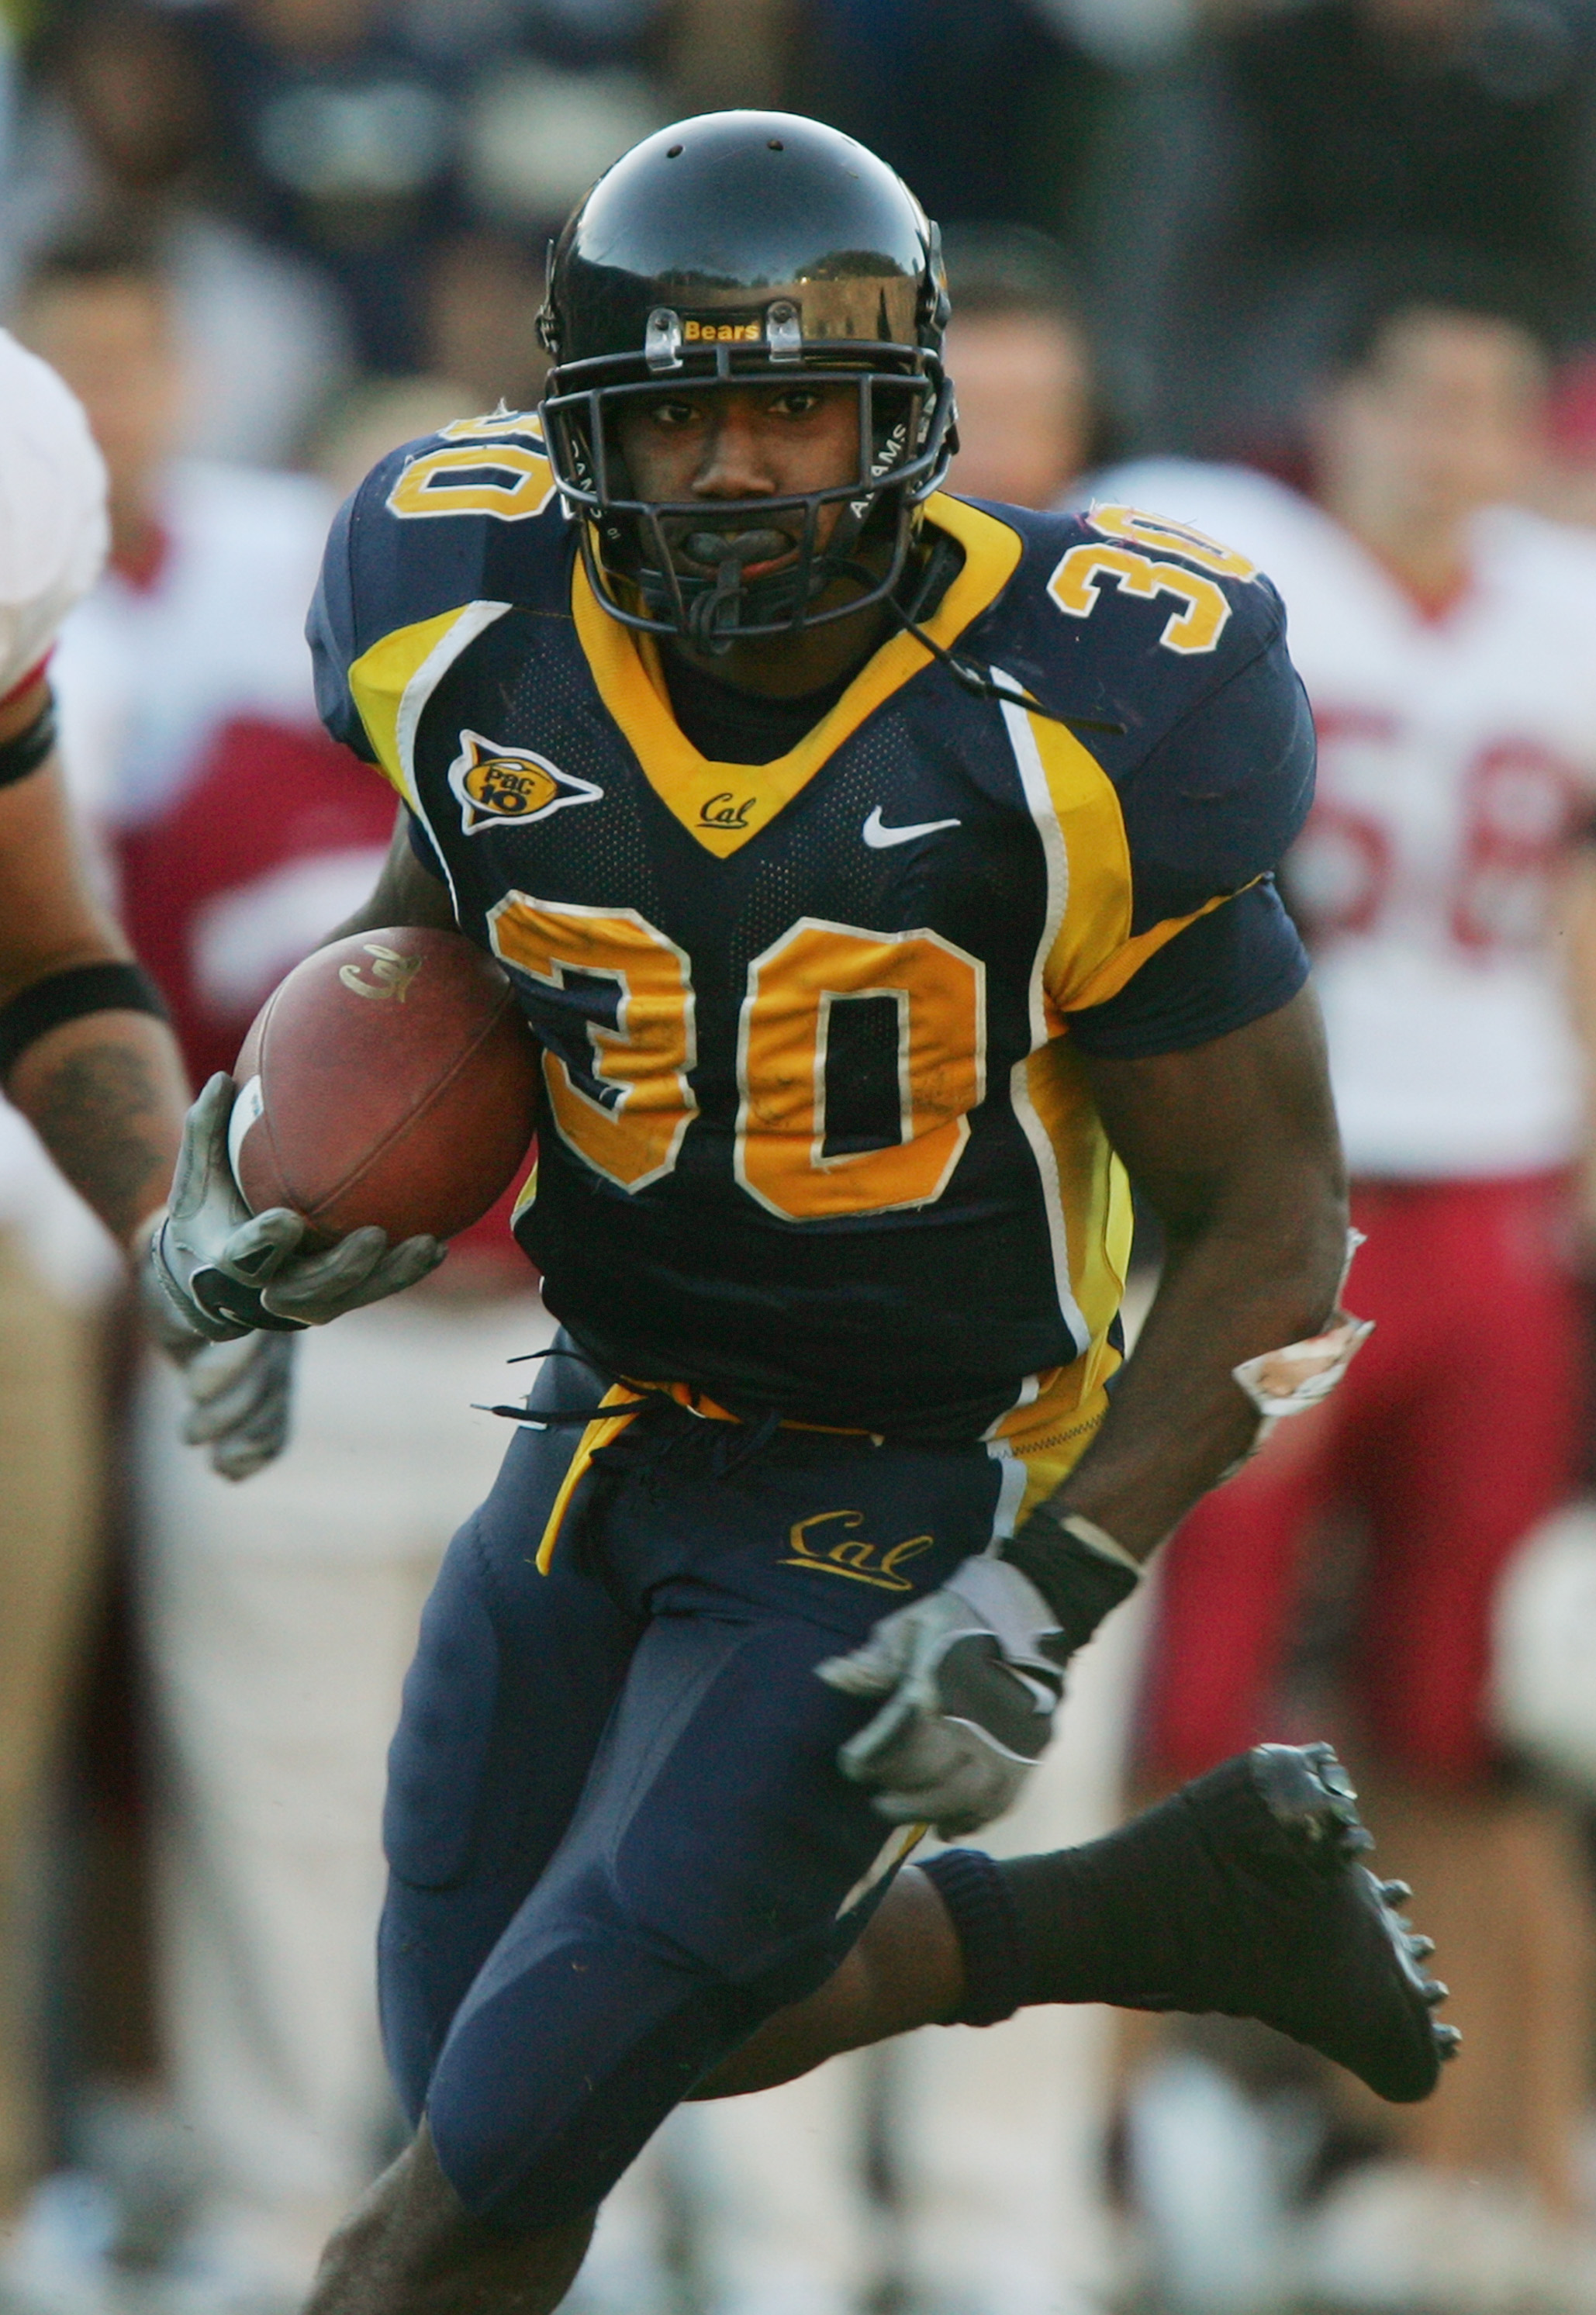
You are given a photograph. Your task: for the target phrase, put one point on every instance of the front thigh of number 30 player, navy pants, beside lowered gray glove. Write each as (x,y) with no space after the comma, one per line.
(719,1867)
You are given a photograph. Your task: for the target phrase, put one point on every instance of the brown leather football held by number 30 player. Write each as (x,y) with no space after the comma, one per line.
(388,1080)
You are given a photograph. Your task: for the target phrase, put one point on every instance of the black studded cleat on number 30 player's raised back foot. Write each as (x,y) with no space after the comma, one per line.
(1291,1927)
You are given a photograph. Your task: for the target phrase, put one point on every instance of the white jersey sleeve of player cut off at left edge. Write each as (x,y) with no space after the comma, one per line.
(52,510)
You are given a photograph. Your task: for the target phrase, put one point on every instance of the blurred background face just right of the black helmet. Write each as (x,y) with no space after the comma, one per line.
(1025,406)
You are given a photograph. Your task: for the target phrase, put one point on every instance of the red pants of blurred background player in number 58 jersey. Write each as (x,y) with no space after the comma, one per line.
(1454,1434)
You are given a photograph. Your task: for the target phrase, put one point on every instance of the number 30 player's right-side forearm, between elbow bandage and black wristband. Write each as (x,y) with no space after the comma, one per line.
(1178,1420)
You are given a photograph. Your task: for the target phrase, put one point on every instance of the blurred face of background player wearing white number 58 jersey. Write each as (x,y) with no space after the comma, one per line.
(1447,418)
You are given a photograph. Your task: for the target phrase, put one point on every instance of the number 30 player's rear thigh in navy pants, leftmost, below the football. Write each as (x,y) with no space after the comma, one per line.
(504,1710)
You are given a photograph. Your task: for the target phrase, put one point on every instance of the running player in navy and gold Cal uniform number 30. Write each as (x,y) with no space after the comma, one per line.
(881,876)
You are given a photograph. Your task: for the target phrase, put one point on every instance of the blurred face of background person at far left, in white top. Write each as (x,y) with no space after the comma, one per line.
(112,344)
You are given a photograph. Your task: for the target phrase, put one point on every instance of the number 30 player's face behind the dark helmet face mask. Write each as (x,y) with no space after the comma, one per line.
(742,443)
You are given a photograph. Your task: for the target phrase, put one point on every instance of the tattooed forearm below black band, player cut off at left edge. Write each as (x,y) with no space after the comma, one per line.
(108,1098)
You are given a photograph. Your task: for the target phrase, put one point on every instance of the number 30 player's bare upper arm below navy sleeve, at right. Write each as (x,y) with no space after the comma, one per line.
(1231,1133)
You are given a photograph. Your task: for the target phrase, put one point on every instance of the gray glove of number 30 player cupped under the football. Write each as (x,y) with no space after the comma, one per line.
(221,1270)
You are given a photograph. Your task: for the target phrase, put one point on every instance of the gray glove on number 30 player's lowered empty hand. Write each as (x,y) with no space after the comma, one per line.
(972,1693)
